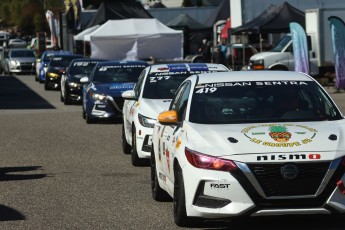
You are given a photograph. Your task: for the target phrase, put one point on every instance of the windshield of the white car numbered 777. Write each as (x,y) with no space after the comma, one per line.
(163,85)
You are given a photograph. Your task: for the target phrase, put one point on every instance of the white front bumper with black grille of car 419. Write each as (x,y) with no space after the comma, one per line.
(260,190)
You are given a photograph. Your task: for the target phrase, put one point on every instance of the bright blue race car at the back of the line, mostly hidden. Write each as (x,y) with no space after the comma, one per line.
(42,63)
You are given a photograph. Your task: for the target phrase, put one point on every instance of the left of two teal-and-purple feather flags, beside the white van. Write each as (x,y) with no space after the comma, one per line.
(300,47)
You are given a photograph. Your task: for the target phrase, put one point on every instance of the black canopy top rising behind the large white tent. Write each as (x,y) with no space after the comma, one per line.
(120,9)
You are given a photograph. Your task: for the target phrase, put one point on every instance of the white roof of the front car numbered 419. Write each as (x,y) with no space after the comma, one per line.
(240,76)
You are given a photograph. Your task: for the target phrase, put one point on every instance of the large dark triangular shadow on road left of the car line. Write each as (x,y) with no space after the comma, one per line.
(16,95)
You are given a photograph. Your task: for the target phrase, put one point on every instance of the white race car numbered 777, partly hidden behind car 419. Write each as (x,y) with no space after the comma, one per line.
(152,94)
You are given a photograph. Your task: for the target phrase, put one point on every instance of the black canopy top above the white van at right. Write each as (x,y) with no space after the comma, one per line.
(275,19)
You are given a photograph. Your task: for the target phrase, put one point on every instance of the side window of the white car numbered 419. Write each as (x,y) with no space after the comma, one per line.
(181,100)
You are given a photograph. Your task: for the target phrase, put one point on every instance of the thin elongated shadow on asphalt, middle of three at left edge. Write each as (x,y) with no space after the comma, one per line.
(20,173)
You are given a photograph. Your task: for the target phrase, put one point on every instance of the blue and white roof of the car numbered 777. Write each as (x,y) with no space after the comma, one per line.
(175,67)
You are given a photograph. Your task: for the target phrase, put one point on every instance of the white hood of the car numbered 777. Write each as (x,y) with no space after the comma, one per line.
(152,107)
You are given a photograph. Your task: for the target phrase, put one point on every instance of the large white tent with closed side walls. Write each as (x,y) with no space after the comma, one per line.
(135,39)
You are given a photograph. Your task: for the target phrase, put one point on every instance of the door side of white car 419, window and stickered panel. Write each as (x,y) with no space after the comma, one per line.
(172,135)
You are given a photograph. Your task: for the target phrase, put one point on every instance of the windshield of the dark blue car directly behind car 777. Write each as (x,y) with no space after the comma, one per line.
(117,73)
